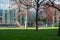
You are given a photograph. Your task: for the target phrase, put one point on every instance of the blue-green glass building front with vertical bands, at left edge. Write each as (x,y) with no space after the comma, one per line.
(7,17)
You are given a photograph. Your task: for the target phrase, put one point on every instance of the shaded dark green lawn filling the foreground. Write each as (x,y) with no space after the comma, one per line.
(29,34)
